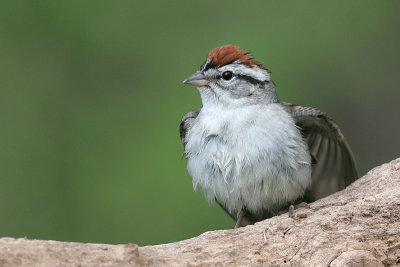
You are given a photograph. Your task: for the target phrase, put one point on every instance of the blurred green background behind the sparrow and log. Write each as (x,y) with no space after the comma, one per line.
(91,97)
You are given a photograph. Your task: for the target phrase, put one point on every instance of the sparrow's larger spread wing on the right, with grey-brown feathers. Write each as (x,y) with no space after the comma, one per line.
(334,167)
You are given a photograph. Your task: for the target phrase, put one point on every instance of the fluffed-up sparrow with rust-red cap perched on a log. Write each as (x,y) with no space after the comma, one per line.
(252,153)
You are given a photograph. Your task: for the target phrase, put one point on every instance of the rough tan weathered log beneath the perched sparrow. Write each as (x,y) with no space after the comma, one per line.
(359,226)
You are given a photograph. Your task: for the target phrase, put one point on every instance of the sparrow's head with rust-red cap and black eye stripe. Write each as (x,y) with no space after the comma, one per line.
(230,76)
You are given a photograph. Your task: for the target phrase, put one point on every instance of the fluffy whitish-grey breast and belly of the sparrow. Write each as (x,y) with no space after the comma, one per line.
(252,156)
